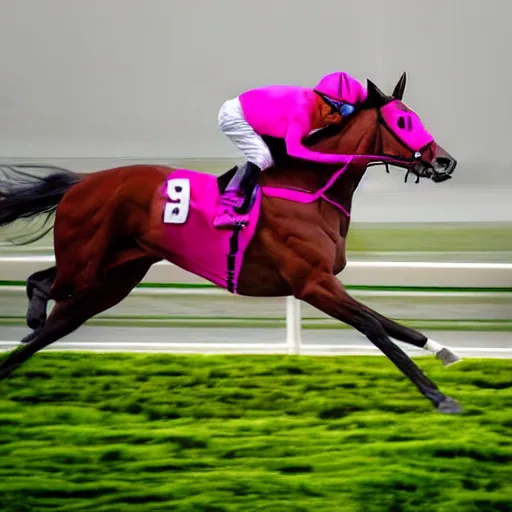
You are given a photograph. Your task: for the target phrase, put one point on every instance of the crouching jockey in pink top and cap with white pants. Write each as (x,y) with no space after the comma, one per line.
(285,112)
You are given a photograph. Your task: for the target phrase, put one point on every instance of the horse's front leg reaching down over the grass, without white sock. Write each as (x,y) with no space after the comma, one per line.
(325,292)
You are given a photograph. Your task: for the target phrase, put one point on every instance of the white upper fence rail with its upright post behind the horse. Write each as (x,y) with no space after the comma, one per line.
(453,275)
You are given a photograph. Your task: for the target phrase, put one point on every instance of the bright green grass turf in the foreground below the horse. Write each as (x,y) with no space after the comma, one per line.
(126,433)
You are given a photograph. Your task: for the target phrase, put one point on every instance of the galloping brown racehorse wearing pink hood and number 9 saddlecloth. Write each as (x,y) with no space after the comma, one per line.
(112,226)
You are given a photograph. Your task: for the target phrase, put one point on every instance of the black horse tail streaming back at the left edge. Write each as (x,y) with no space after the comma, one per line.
(24,195)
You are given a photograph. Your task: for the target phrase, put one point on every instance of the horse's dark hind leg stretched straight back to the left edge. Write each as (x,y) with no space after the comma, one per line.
(70,314)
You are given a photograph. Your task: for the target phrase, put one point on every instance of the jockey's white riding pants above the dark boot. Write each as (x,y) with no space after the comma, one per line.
(233,124)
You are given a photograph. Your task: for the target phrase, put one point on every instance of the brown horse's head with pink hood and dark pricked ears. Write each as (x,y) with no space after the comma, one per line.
(384,130)
